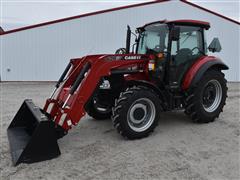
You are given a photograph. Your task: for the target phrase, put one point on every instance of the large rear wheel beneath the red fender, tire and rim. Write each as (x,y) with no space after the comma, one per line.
(206,100)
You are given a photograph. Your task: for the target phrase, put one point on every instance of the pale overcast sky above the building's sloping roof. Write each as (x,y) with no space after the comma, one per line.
(19,13)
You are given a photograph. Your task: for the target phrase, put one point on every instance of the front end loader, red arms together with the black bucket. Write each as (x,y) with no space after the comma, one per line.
(33,133)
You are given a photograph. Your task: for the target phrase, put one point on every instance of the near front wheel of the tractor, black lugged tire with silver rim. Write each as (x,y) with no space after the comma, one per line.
(136,112)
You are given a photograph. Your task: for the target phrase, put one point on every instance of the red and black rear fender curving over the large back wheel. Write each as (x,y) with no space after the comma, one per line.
(198,69)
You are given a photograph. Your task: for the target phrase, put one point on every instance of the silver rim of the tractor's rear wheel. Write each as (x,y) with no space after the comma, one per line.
(212,96)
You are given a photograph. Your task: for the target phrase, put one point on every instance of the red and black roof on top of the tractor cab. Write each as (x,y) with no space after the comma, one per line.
(186,22)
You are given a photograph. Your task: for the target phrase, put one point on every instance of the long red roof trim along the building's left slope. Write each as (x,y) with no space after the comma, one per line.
(82,15)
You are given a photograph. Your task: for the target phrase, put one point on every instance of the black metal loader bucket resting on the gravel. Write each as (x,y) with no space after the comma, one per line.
(32,135)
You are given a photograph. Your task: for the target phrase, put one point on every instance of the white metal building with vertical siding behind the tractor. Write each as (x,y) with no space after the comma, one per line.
(41,52)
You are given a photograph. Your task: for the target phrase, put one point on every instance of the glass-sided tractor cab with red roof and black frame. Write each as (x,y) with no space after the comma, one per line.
(175,45)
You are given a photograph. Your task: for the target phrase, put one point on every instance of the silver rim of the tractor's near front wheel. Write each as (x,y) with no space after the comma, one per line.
(141,114)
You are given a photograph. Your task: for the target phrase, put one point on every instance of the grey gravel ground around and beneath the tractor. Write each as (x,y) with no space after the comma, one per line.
(178,148)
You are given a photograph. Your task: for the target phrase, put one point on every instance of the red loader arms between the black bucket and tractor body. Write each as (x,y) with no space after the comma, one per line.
(73,94)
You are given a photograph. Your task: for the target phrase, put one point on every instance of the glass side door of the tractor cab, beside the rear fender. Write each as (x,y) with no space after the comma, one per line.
(184,52)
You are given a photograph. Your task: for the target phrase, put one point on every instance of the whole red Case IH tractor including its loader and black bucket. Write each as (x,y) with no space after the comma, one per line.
(166,69)
